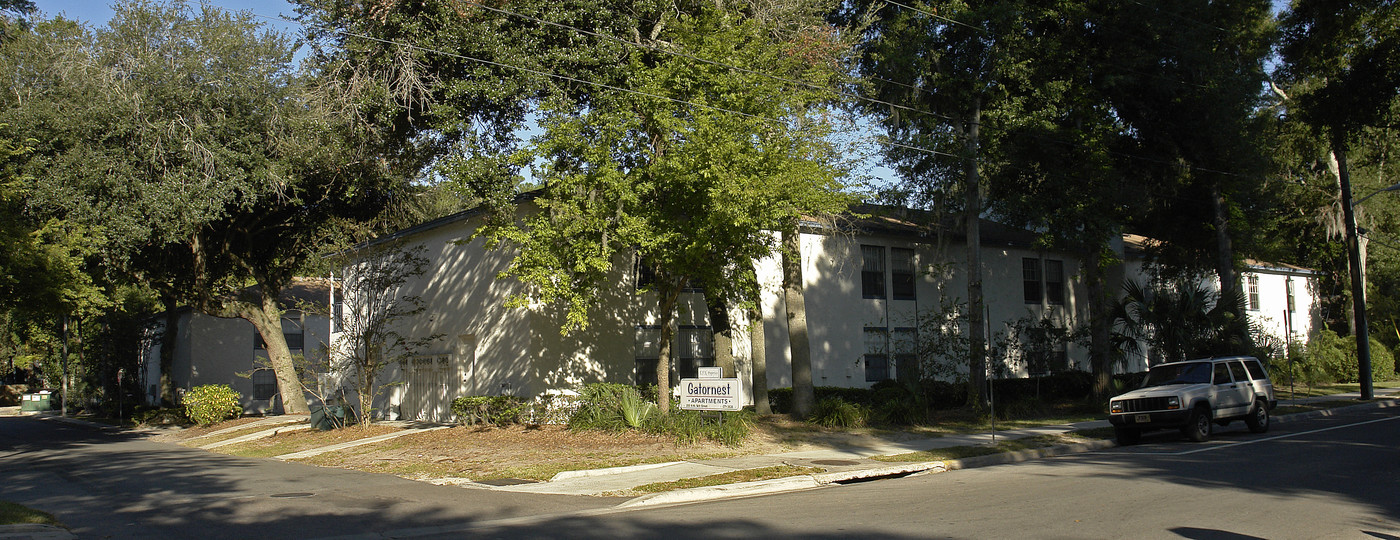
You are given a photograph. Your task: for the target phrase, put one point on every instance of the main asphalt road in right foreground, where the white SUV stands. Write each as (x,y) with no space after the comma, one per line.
(1331,478)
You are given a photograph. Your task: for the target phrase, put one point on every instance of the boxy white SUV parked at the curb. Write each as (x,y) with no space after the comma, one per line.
(1193,395)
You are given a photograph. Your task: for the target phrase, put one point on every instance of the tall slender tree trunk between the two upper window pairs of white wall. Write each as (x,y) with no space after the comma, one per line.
(976,311)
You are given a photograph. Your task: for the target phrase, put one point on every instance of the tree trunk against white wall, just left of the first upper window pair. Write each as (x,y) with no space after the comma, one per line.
(804,395)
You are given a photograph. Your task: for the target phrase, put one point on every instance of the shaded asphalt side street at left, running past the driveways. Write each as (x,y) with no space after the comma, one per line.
(107,485)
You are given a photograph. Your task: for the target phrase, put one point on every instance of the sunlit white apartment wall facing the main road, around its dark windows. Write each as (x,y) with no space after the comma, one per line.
(838,313)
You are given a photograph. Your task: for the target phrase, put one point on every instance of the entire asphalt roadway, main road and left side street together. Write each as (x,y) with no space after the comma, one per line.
(1328,478)
